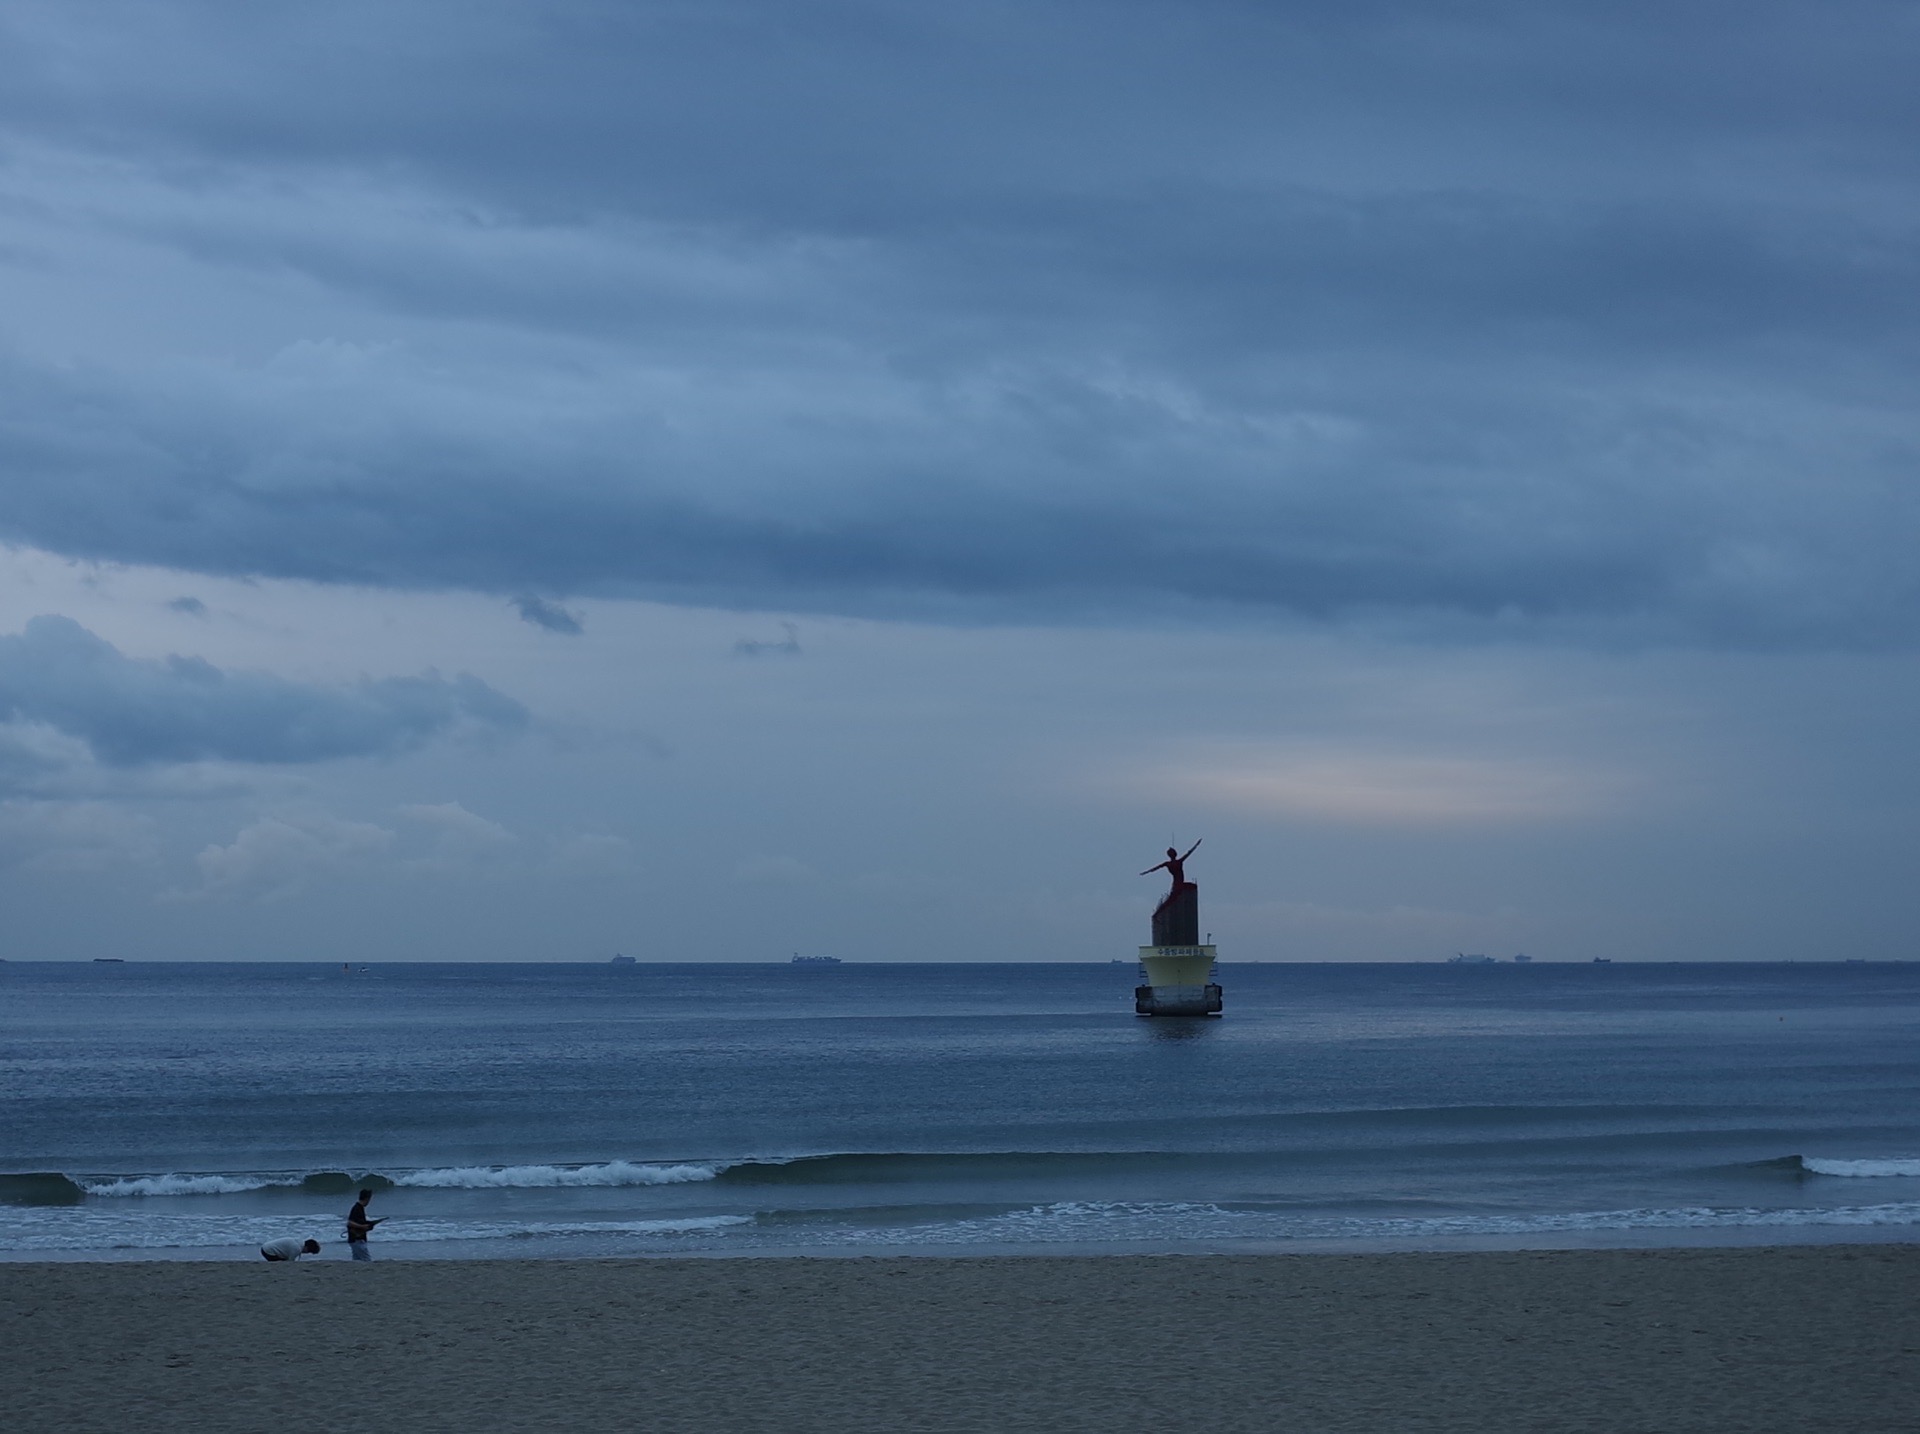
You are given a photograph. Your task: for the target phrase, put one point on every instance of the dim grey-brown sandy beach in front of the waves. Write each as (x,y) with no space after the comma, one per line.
(1618,1341)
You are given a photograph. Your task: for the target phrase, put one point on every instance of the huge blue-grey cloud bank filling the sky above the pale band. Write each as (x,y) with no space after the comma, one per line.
(1508,314)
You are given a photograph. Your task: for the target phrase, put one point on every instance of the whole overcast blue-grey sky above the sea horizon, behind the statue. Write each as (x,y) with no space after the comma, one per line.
(537,479)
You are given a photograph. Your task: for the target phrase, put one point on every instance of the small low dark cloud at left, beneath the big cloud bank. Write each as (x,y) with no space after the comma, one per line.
(135,713)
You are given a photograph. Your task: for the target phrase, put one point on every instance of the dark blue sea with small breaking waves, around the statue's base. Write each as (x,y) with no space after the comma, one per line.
(180,1111)
